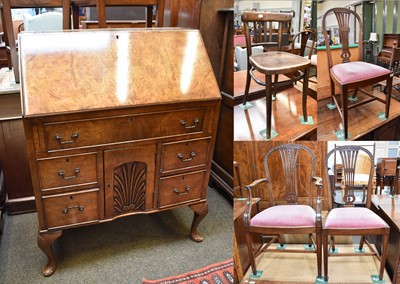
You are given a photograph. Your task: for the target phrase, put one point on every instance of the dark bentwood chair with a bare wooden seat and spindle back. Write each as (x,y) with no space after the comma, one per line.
(268,32)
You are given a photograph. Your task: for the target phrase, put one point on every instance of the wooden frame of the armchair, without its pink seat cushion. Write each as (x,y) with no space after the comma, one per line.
(289,154)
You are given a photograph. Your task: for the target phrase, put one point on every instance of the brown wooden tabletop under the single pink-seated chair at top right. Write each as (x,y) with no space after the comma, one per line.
(362,119)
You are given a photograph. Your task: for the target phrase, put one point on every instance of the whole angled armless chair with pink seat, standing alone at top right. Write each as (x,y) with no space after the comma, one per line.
(356,74)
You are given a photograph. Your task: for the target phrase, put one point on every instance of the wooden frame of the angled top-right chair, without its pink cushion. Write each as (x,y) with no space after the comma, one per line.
(343,16)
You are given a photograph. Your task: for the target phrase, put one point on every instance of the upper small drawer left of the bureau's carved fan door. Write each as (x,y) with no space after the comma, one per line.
(67,171)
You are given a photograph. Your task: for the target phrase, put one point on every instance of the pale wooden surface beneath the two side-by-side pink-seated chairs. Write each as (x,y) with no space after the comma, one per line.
(302,267)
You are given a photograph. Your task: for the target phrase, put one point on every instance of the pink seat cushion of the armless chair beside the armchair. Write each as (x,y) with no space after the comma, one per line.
(353,218)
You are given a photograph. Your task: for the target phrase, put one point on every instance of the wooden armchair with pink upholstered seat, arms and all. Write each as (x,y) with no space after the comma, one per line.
(290,165)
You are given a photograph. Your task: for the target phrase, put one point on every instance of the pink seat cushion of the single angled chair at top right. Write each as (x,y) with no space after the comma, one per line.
(351,72)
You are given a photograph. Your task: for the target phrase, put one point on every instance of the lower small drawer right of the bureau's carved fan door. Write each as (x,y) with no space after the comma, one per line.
(180,188)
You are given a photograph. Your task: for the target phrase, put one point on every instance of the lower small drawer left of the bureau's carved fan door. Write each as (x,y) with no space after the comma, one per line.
(71,208)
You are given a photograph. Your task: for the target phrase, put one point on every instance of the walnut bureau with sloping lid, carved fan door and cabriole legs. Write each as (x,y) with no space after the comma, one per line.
(117,122)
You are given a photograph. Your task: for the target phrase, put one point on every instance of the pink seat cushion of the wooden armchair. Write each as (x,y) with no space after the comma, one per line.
(285,216)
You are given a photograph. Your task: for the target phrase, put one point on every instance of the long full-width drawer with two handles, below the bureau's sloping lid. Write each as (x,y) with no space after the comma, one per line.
(102,131)
